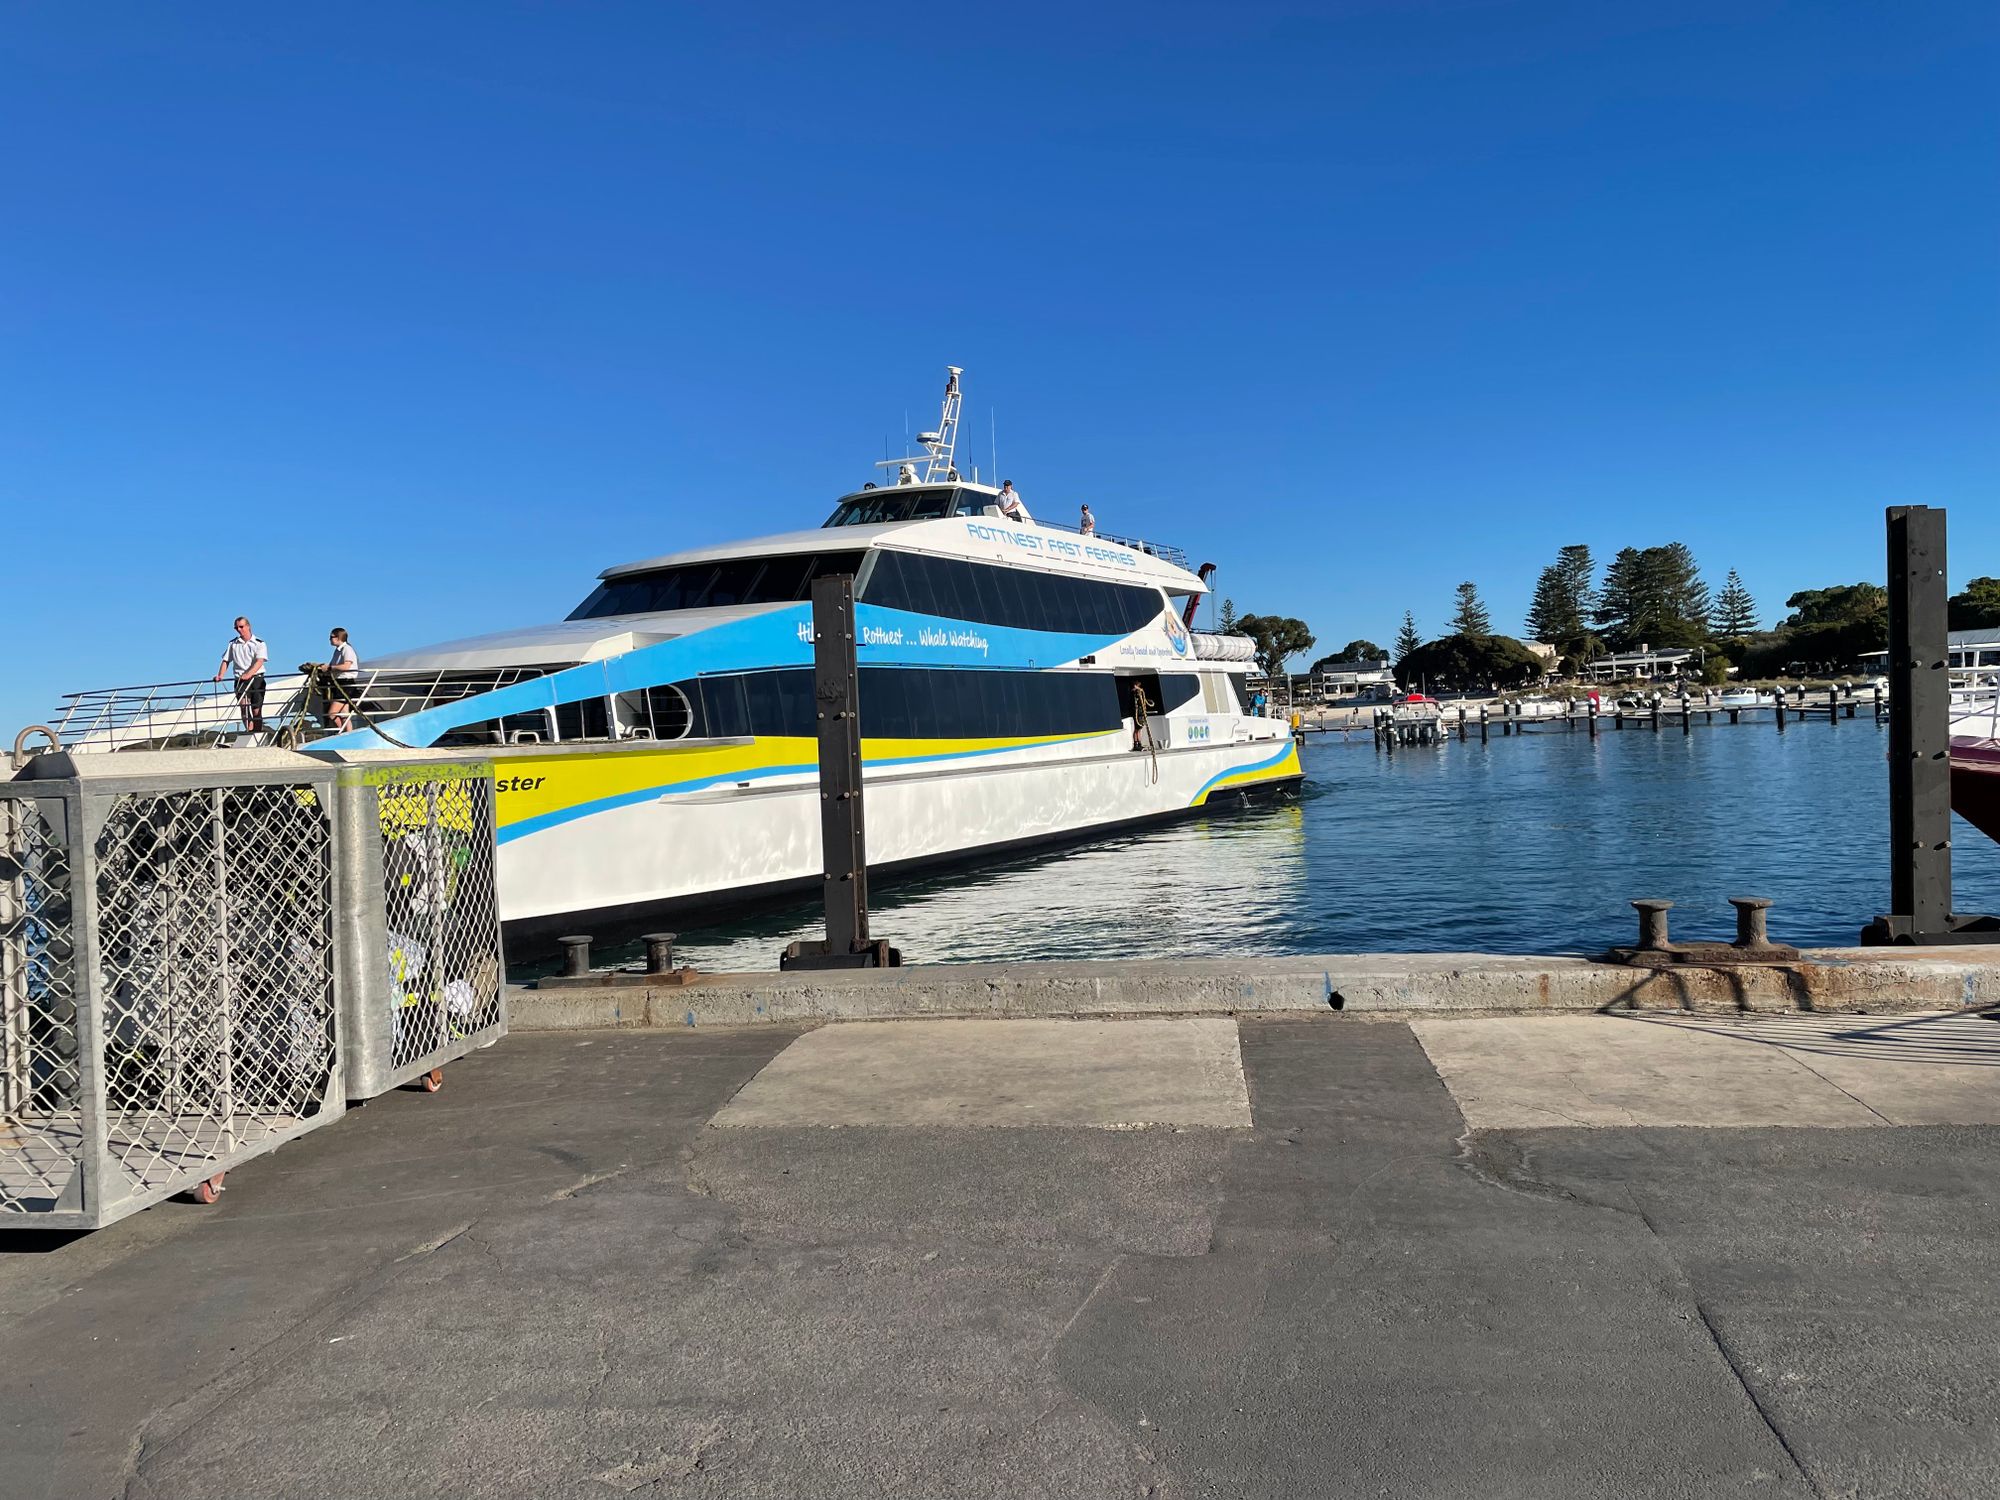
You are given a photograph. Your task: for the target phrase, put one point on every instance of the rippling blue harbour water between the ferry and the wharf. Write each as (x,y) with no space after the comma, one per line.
(1521,845)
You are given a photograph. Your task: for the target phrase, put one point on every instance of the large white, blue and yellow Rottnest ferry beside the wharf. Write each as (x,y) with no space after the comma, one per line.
(655,751)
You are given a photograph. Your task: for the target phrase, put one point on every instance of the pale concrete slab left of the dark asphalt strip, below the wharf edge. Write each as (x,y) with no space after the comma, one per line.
(1003,1073)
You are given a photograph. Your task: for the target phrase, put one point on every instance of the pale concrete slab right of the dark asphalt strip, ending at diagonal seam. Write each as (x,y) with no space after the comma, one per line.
(1517,1073)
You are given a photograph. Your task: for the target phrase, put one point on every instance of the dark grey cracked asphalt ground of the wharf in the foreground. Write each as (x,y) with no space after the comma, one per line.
(567,1277)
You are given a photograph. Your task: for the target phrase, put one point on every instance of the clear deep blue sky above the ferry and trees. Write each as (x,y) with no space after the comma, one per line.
(415,317)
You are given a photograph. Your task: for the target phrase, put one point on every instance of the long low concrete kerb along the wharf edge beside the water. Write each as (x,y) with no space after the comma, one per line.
(1841,981)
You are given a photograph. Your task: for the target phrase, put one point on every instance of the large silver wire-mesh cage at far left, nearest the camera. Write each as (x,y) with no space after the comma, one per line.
(167,965)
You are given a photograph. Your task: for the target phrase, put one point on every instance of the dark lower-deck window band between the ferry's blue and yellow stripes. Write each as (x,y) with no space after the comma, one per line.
(915,703)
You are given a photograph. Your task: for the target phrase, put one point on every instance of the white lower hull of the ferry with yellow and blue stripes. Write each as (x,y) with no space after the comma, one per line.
(669,833)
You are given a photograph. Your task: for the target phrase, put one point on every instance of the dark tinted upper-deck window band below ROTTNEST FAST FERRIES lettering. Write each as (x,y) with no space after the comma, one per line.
(1009,597)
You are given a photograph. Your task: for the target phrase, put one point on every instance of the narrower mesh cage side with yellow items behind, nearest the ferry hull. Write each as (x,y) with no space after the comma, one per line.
(427,981)
